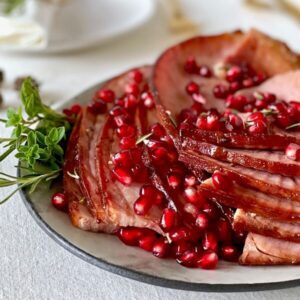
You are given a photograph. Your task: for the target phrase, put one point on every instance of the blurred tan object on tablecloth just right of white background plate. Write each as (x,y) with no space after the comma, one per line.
(178,21)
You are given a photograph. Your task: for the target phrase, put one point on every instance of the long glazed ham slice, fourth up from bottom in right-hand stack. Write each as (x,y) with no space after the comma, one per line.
(277,185)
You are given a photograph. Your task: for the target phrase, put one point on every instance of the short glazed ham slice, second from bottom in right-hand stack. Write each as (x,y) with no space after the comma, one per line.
(250,222)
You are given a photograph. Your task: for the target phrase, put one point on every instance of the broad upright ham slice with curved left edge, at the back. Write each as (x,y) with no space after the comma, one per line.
(170,79)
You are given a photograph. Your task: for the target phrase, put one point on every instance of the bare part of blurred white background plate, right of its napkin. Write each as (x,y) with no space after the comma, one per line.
(95,23)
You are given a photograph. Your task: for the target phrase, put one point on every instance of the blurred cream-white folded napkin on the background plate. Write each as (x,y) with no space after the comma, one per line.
(32,28)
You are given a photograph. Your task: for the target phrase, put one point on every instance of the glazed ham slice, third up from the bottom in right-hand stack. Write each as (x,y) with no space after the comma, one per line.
(253,201)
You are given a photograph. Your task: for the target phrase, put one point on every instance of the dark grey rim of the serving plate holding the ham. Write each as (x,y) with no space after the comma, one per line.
(130,273)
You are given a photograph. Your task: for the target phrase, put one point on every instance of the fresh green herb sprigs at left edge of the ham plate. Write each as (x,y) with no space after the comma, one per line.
(37,139)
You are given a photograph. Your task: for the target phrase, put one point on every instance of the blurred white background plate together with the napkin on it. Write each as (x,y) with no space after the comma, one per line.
(64,25)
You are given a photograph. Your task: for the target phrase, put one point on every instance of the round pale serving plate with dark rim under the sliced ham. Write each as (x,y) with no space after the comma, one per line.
(107,252)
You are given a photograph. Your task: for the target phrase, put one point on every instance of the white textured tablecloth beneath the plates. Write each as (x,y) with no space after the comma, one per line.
(32,266)
